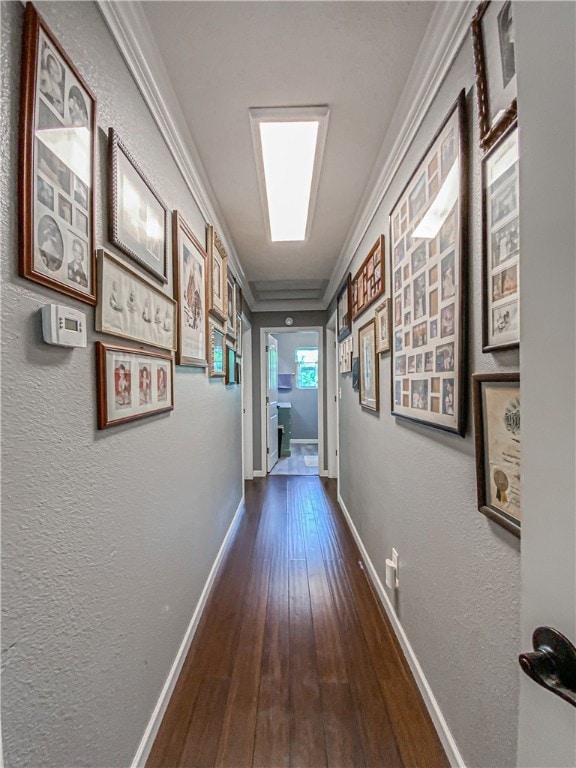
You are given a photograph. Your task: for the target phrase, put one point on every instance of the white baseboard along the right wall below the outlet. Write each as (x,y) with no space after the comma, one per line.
(452,751)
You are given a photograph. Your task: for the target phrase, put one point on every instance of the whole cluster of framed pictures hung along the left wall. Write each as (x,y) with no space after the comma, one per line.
(199,326)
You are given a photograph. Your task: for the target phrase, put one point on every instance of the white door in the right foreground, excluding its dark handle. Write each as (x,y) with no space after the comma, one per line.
(545,60)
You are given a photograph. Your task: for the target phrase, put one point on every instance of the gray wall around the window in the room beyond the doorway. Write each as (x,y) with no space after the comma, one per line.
(304,401)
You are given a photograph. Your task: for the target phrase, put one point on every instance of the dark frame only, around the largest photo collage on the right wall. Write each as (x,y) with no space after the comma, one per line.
(459,106)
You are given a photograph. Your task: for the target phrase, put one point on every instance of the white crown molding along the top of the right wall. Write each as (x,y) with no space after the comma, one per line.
(444,36)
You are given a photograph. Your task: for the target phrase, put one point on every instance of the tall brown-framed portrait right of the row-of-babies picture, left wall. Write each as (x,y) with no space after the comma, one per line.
(191,290)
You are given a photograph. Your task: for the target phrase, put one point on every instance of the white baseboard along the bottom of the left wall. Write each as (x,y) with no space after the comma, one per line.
(147,741)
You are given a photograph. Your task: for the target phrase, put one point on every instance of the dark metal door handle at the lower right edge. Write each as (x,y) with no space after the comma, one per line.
(552,664)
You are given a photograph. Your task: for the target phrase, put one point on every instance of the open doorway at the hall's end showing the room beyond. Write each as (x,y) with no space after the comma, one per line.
(292,407)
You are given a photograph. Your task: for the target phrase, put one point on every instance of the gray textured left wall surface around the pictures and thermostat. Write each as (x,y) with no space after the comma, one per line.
(107,537)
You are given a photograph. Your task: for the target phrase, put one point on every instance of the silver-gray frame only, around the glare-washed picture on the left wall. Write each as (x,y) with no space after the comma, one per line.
(115,146)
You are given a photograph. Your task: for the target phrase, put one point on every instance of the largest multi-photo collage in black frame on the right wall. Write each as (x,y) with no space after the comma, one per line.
(428,261)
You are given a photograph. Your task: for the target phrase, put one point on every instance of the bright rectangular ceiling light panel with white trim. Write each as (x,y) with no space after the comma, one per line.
(289,143)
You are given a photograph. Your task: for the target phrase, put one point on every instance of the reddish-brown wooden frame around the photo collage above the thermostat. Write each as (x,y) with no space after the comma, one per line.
(33,22)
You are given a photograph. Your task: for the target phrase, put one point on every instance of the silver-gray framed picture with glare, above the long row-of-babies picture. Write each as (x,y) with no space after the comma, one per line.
(138,218)
